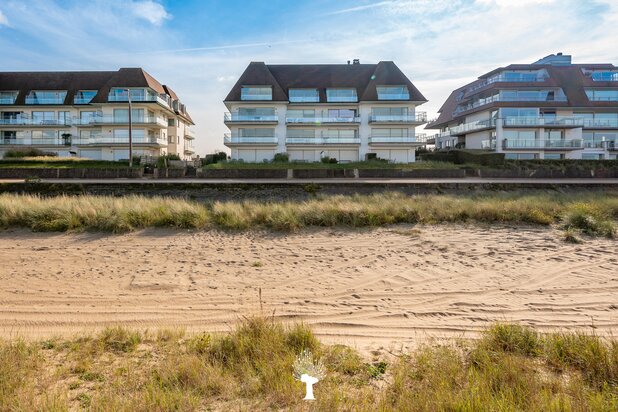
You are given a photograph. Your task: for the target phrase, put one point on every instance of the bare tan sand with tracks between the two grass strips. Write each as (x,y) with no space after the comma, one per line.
(390,287)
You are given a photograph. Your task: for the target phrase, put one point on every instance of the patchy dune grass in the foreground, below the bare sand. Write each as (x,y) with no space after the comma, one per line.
(251,368)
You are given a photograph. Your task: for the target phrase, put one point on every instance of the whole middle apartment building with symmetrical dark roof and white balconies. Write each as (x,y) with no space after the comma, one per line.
(343,111)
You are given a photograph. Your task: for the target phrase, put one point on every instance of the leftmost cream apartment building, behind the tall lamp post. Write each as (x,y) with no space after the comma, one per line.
(86,114)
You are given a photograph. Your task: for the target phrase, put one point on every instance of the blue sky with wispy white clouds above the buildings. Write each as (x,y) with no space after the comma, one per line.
(200,47)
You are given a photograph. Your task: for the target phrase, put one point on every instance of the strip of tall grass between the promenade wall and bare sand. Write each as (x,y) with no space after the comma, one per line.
(593,213)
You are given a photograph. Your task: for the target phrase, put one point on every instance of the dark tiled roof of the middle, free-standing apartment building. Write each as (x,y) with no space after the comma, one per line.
(362,77)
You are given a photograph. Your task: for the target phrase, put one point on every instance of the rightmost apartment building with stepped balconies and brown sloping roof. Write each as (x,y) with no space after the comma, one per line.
(550,109)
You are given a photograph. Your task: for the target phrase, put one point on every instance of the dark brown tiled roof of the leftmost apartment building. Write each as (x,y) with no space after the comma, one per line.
(102,81)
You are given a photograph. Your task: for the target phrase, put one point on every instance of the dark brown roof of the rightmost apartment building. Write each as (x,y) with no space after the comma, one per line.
(570,79)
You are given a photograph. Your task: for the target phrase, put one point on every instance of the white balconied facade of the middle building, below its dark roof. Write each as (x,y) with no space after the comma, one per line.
(309,132)
